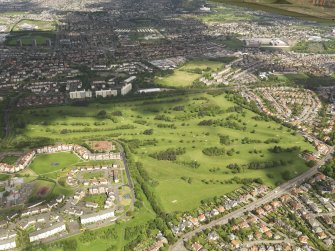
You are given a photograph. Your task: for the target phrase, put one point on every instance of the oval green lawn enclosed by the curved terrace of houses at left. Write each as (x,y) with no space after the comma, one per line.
(45,164)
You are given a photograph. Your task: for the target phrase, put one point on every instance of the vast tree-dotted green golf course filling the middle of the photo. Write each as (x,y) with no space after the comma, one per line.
(177,128)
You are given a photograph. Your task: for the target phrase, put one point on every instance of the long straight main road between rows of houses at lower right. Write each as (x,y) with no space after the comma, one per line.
(277,192)
